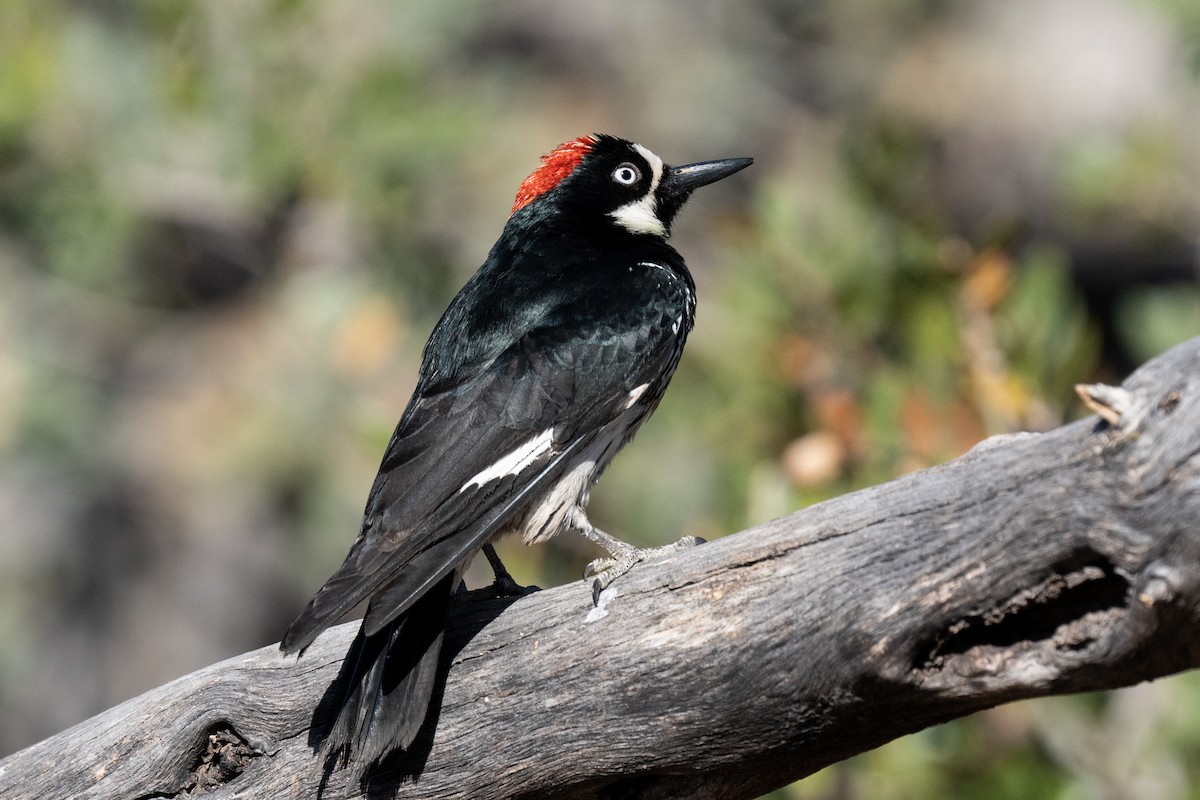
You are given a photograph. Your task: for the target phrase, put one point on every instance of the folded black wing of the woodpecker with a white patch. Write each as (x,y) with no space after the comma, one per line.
(463,461)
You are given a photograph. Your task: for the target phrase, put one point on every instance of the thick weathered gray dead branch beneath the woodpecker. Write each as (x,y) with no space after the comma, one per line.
(1036,564)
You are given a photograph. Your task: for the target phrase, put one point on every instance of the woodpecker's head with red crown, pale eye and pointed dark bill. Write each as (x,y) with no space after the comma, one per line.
(602,178)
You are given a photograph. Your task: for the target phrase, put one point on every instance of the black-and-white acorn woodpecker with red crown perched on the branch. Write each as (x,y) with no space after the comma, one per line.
(542,369)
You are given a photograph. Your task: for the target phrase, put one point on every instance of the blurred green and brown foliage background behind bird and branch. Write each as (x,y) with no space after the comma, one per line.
(226,230)
